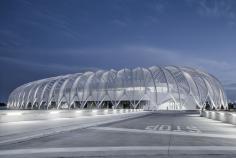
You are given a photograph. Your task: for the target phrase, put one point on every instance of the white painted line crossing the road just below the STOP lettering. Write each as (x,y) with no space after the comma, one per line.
(165,132)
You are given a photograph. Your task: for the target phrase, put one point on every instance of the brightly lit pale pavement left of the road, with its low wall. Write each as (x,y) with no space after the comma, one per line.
(12,132)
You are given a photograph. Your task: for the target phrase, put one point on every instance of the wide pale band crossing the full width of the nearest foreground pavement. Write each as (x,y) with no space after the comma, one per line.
(110,149)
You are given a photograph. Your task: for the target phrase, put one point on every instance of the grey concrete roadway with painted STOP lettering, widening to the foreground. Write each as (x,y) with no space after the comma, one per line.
(153,135)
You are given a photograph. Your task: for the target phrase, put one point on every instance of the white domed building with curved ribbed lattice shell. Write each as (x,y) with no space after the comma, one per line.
(167,87)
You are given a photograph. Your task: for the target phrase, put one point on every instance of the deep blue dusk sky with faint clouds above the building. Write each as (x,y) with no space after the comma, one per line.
(44,38)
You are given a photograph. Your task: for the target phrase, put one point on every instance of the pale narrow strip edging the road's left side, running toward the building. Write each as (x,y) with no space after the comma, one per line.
(57,130)
